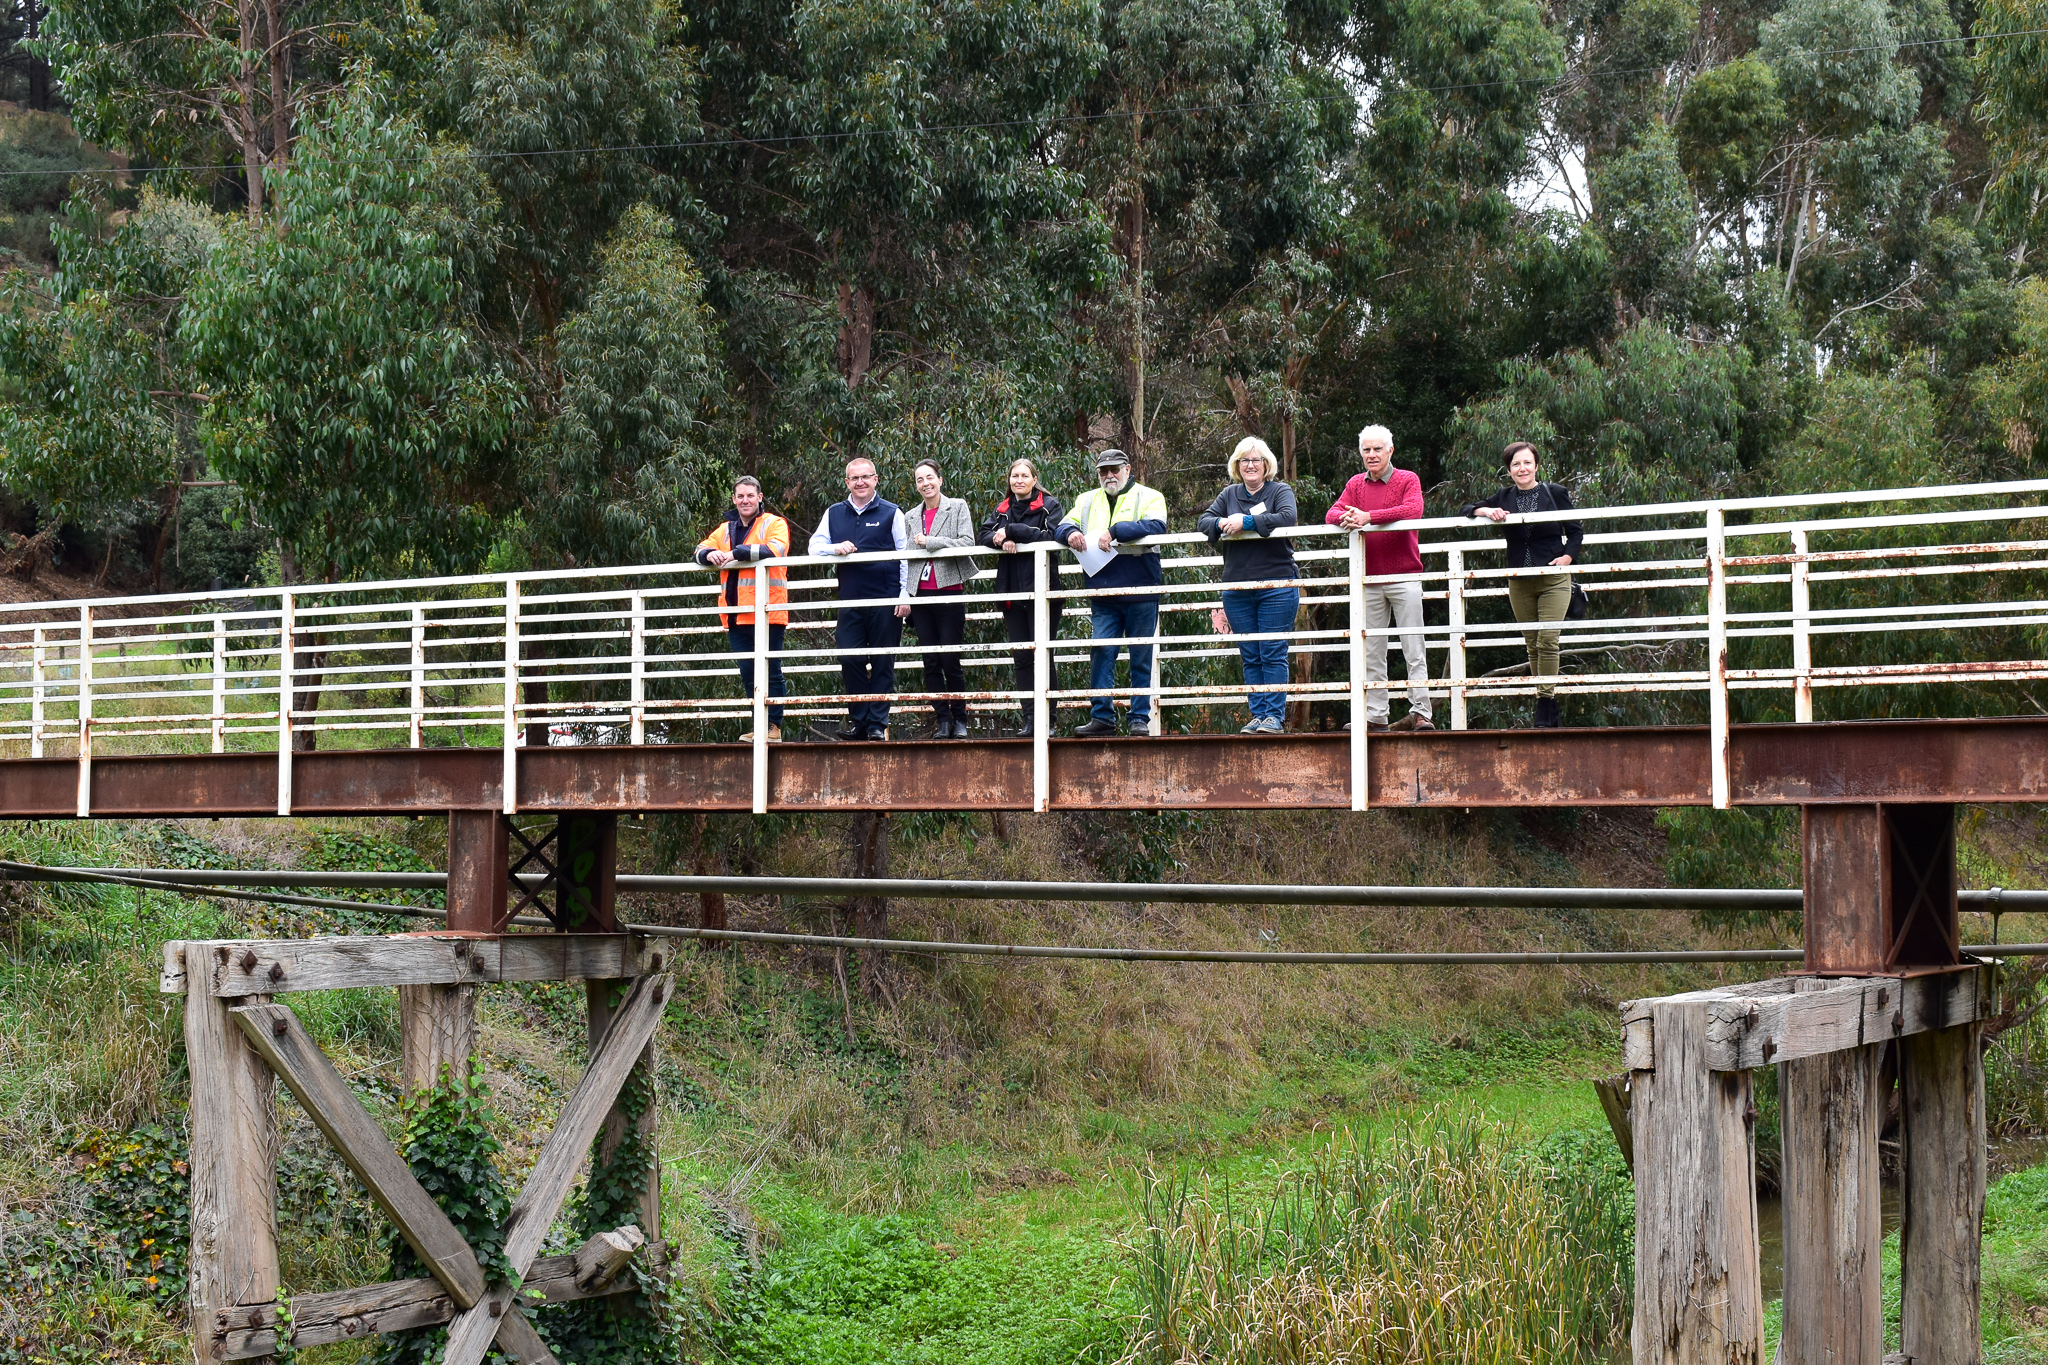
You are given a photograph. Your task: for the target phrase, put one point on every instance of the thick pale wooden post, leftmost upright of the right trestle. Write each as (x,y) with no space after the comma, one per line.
(1699,1280)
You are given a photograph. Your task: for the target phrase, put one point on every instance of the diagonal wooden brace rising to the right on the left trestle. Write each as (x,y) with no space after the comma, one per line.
(562,1155)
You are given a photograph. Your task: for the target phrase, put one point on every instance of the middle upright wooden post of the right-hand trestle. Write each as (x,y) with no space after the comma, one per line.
(1834,1229)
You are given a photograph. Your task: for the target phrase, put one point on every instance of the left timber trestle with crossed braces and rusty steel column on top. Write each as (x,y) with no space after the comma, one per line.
(243,1041)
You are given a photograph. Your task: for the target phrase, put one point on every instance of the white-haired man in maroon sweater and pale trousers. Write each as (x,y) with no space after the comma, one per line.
(1388,494)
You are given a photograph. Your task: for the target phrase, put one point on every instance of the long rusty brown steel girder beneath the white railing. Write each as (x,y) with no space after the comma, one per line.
(1664,766)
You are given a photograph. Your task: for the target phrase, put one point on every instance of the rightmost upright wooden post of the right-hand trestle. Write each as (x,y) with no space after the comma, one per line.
(1943,1198)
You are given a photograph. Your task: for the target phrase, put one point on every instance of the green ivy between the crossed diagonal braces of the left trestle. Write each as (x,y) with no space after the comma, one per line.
(450,1147)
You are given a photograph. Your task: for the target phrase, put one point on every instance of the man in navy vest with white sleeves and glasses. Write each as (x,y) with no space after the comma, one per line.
(861,525)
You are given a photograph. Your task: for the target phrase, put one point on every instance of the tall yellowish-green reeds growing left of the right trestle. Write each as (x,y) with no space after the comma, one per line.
(1439,1245)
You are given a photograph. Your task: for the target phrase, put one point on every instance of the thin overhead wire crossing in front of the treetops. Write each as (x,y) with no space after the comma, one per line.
(773,140)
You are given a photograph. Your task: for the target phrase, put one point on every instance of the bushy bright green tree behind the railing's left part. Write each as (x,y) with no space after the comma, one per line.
(394,455)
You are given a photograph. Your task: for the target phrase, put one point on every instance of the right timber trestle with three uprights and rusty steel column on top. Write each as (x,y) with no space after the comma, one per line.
(1887,996)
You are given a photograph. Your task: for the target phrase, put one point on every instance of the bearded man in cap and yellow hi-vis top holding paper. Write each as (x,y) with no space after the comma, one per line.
(1107,521)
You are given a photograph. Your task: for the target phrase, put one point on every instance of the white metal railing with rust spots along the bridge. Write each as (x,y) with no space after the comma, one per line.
(1893,588)
